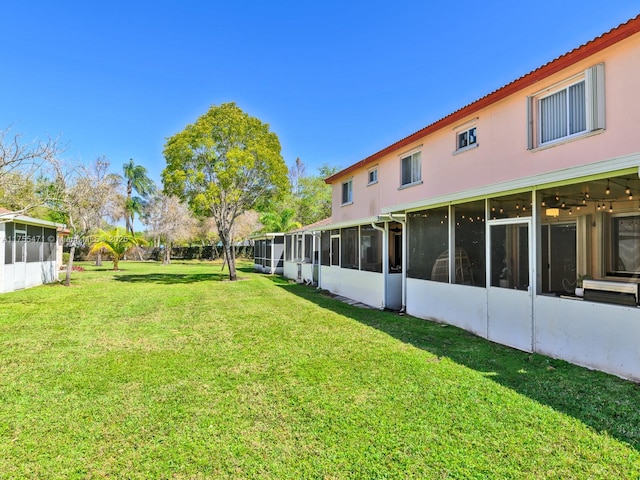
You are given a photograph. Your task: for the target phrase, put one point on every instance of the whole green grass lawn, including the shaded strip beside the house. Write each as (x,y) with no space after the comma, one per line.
(172,372)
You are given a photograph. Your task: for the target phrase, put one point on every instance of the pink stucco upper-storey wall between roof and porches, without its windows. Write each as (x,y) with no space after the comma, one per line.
(502,157)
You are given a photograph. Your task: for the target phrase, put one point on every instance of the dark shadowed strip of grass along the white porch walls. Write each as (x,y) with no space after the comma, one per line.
(604,402)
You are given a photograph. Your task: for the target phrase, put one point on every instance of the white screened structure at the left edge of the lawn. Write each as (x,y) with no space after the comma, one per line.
(30,252)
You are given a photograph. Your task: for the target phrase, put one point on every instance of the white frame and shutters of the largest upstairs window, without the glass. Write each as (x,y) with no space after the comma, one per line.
(594,108)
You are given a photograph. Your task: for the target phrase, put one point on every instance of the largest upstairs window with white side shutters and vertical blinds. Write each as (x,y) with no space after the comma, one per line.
(570,109)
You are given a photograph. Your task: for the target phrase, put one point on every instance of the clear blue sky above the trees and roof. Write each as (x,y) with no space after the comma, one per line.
(337,81)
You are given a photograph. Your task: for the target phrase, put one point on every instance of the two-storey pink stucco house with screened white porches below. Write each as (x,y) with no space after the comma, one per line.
(487,218)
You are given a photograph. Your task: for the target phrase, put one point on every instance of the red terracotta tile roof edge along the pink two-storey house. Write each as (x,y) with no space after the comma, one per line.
(613,36)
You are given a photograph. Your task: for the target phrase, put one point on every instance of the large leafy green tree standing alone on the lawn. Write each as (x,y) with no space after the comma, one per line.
(224,164)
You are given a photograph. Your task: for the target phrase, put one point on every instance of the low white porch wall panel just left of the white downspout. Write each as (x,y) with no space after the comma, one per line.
(364,287)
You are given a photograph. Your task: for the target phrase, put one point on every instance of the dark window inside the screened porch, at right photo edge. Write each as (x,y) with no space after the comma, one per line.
(626,245)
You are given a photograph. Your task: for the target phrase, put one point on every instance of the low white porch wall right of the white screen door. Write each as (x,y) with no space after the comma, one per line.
(595,335)
